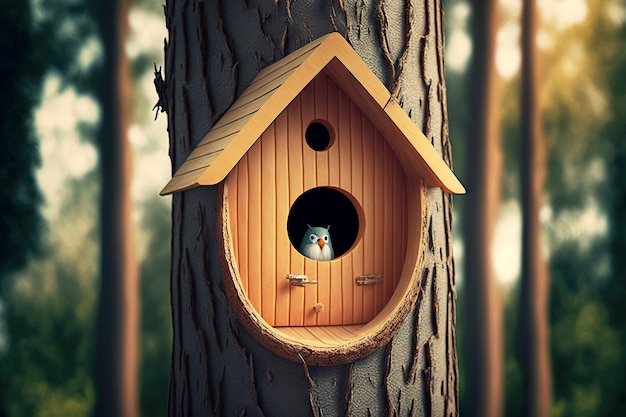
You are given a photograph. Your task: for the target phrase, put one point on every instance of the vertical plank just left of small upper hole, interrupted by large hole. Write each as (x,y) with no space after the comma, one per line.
(296,187)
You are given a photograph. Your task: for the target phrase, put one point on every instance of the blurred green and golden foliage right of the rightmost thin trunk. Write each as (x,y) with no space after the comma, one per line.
(587,360)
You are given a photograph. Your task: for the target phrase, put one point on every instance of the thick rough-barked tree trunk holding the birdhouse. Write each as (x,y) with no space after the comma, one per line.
(214,51)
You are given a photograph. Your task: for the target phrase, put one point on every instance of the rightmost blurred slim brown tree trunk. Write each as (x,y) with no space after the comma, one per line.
(533,318)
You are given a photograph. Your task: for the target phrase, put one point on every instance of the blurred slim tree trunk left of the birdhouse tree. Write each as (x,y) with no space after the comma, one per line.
(118,312)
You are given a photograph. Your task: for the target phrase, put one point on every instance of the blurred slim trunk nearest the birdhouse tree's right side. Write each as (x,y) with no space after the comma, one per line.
(482,305)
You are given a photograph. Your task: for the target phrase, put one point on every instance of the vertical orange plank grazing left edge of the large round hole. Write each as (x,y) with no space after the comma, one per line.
(283,246)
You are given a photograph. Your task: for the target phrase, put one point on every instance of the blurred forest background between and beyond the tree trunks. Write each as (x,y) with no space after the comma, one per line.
(51,189)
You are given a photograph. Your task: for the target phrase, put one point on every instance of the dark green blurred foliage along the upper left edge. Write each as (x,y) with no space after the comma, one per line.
(21,72)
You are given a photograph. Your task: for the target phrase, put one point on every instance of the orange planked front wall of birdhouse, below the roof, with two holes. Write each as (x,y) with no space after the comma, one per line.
(322,163)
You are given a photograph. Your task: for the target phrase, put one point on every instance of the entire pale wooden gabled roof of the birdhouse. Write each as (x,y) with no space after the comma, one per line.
(277,85)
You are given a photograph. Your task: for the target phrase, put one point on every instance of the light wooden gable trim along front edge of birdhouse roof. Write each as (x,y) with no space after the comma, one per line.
(337,58)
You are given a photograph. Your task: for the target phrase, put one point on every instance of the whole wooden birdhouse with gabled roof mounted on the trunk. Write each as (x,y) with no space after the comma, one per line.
(322,180)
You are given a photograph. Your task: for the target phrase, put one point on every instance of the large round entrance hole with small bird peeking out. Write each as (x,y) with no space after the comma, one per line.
(319,208)
